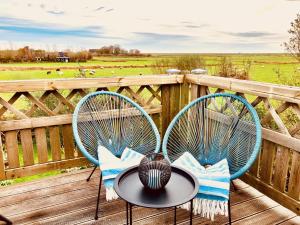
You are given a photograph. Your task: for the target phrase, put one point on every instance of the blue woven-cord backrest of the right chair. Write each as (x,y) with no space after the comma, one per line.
(215,127)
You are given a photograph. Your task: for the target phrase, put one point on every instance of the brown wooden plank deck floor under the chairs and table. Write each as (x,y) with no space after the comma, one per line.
(69,199)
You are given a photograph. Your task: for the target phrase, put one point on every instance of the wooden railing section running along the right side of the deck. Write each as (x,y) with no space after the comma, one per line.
(276,172)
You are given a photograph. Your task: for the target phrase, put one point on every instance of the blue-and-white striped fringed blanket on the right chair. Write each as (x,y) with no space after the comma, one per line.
(214,184)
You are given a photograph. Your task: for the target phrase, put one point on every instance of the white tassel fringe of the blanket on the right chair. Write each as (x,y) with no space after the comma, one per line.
(207,208)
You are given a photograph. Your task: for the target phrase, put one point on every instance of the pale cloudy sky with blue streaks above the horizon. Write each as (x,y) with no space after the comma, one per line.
(166,26)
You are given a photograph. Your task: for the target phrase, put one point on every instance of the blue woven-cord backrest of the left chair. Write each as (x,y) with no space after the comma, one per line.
(115,122)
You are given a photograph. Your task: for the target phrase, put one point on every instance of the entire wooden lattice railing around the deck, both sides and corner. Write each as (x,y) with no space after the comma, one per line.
(36,133)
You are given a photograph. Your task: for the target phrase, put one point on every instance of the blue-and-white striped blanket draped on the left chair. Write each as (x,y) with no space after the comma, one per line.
(111,166)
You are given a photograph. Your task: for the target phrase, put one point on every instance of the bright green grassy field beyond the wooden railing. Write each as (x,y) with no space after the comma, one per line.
(265,67)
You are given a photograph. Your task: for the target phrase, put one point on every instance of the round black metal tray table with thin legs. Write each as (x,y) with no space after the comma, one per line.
(181,188)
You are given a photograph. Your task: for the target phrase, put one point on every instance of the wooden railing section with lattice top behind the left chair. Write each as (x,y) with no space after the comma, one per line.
(35,118)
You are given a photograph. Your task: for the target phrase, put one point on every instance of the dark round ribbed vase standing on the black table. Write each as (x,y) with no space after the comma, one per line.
(154,171)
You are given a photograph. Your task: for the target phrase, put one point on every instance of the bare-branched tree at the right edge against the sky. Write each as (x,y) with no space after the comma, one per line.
(293,44)
